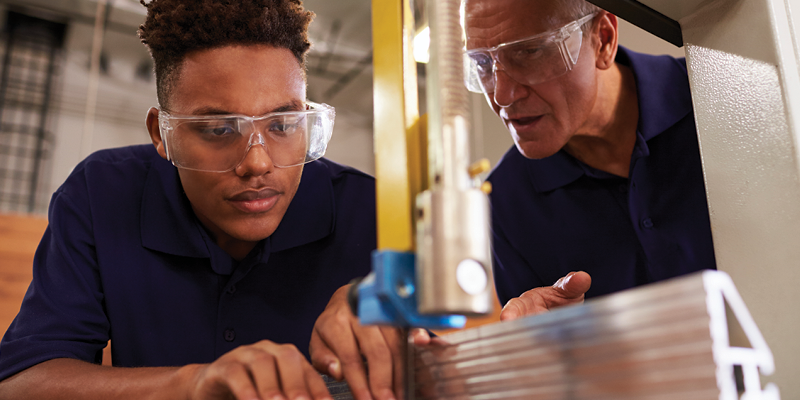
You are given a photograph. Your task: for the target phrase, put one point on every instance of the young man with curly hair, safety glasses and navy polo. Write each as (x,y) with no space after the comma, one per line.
(207,257)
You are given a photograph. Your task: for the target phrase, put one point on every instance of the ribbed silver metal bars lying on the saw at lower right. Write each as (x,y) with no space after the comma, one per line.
(662,341)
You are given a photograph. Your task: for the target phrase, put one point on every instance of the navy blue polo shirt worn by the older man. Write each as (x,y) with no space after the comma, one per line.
(557,214)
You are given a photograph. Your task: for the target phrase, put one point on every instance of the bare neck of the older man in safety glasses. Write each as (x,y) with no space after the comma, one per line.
(606,141)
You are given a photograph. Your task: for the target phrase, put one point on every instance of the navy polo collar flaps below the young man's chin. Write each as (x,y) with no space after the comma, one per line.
(169,225)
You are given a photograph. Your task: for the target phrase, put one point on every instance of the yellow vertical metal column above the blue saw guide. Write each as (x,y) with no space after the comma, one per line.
(399,154)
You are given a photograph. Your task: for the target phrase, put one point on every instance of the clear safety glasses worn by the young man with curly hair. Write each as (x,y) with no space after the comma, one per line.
(219,143)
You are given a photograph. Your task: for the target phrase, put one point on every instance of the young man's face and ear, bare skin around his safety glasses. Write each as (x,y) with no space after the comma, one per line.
(242,206)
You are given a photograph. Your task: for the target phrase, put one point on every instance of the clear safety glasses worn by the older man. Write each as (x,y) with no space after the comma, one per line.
(528,61)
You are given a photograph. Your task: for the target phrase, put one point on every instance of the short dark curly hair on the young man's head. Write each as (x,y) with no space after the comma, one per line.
(175,28)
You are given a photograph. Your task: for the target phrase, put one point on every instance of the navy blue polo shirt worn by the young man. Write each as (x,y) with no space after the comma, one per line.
(125,258)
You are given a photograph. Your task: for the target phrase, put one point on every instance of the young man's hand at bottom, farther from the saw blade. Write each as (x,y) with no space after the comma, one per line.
(261,371)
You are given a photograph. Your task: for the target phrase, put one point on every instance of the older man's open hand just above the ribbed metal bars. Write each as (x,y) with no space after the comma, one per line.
(567,290)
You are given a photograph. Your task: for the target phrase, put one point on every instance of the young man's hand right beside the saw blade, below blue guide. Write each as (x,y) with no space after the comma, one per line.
(339,341)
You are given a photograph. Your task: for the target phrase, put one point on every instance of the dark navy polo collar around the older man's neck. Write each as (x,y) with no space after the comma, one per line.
(660,107)
